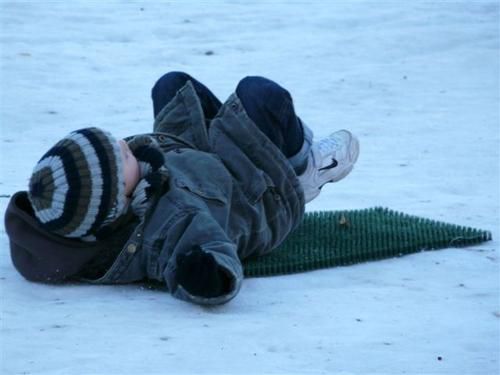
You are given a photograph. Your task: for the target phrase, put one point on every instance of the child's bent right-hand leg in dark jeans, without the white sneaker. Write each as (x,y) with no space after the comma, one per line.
(270,106)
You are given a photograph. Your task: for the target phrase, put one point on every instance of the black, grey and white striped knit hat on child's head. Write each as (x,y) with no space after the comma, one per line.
(79,185)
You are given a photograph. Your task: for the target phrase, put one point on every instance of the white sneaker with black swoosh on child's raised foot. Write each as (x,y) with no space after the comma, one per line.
(330,160)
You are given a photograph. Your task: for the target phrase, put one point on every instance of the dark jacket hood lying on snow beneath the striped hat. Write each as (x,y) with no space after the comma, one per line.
(39,255)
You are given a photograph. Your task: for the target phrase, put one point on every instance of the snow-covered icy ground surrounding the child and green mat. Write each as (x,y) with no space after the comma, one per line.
(417,81)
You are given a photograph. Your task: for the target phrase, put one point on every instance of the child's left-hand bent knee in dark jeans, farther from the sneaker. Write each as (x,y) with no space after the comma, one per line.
(167,86)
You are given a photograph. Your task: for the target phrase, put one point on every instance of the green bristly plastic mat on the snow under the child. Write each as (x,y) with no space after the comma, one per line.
(340,238)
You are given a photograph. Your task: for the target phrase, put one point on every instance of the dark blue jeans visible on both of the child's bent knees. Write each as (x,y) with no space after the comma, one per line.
(268,104)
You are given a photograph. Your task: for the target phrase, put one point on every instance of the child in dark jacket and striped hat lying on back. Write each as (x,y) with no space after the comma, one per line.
(213,184)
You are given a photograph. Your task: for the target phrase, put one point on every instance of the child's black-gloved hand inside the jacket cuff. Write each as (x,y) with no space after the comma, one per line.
(200,275)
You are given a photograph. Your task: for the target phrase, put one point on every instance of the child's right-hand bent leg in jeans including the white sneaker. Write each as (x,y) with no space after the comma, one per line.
(271,108)
